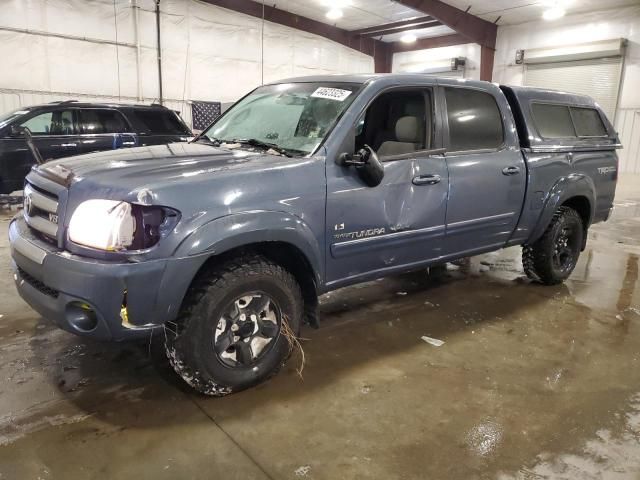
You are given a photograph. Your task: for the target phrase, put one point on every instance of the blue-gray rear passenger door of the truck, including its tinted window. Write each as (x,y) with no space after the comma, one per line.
(487,173)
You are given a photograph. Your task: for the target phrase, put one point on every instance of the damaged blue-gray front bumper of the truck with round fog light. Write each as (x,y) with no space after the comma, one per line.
(60,286)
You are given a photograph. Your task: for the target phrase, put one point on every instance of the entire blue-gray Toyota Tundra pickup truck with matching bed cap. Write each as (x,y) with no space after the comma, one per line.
(304,186)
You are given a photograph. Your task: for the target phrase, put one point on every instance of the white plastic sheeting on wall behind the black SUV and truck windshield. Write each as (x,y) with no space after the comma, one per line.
(95,50)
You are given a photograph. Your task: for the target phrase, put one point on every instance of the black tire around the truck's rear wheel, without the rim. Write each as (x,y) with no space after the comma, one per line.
(537,258)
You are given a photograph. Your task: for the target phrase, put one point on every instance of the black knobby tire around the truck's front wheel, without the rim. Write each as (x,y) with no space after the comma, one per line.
(189,344)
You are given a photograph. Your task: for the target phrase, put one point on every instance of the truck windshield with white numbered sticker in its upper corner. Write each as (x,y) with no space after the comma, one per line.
(290,118)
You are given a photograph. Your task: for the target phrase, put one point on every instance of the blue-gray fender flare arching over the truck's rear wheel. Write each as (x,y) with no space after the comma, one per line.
(574,185)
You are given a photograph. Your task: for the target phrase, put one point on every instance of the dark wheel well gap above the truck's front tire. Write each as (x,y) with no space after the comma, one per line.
(289,257)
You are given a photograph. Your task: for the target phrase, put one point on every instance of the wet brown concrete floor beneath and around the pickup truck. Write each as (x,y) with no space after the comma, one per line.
(531,382)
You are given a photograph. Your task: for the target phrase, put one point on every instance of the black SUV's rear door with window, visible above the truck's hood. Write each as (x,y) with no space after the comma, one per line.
(104,129)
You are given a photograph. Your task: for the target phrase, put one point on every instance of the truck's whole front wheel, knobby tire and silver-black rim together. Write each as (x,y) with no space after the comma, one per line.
(234,327)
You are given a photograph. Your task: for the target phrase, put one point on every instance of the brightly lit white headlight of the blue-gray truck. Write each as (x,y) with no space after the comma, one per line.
(103,224)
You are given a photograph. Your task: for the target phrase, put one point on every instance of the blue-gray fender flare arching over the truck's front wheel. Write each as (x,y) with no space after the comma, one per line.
(226,233)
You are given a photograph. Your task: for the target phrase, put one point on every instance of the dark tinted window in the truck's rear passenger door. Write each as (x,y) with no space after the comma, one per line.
(474,120)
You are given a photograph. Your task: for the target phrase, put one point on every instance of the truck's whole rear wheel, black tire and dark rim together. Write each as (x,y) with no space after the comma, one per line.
(552,258)
